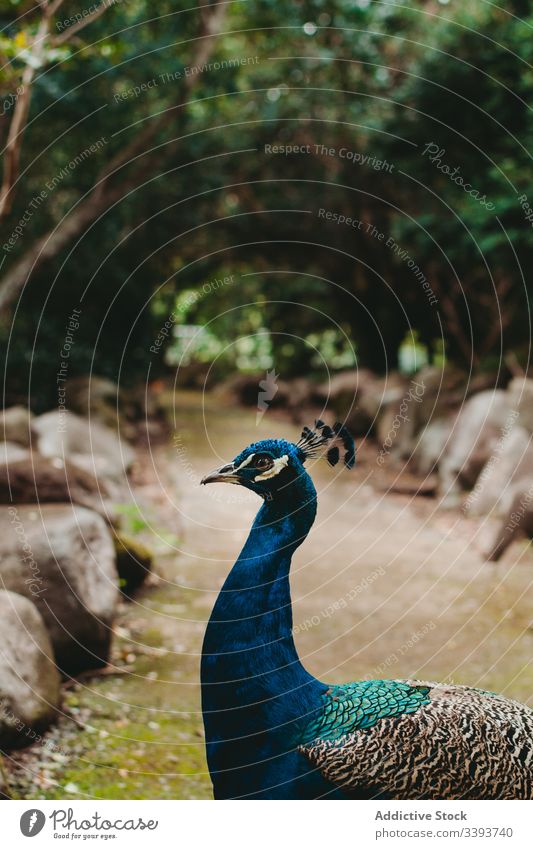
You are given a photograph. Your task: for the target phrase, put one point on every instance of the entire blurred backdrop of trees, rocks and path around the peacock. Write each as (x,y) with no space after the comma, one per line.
(221,221)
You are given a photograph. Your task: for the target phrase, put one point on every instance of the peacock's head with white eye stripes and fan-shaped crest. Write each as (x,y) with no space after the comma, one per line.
(270,466)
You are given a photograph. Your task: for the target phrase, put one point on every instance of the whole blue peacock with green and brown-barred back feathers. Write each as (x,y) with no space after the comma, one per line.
(273,731)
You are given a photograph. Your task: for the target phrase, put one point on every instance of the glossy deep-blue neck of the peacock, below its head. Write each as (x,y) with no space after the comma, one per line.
(253,684)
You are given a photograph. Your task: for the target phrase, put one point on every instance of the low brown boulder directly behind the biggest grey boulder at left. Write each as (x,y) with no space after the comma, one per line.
(41,480)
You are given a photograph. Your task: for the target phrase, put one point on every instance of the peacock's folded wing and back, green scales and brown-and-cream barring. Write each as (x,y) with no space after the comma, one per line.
(453,742)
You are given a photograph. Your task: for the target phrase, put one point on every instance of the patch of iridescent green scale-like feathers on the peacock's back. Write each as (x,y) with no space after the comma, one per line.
(350,707)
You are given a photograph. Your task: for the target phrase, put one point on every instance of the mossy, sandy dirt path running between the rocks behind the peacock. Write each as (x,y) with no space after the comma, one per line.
(385,586)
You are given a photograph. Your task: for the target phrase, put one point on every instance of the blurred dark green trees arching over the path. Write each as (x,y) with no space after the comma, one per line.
(137,168)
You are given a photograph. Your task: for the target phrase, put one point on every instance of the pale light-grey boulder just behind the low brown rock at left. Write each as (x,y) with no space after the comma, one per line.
(88,444)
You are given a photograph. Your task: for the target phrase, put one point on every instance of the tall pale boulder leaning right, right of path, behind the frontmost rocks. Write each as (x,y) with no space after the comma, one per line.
(482,420)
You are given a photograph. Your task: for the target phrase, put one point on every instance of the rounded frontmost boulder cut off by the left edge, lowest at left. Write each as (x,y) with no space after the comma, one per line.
(29,680)
